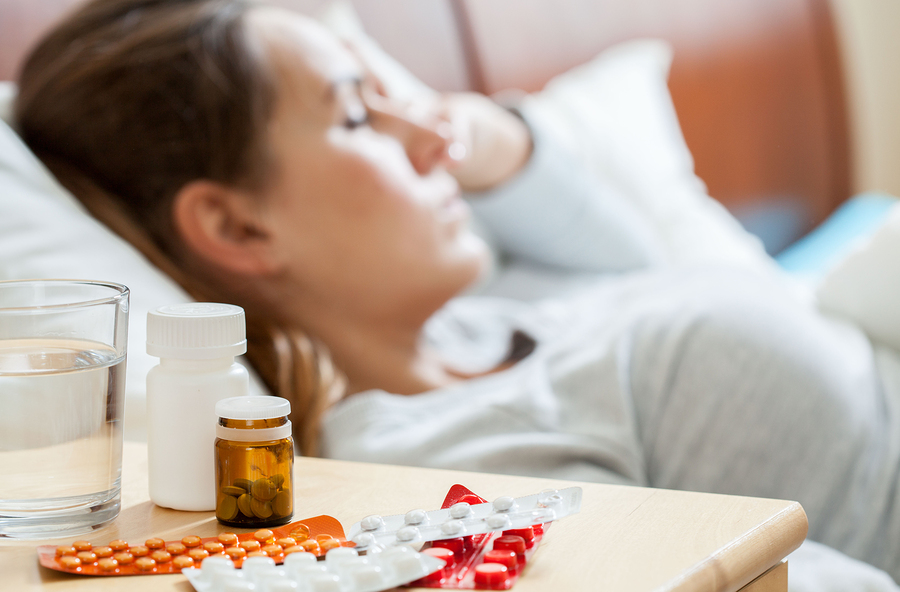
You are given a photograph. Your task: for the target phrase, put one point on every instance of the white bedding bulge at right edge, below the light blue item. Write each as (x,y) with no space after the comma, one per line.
(865,286)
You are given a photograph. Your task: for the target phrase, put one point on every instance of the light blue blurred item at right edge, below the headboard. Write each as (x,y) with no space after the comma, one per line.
(857,219)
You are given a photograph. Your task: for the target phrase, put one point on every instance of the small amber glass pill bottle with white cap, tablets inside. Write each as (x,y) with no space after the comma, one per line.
(254,462)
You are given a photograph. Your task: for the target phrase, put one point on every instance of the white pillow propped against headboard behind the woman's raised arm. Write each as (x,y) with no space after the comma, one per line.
(615,114)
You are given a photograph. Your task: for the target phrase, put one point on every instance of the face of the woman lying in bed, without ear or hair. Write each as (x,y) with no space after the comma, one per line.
(360,201)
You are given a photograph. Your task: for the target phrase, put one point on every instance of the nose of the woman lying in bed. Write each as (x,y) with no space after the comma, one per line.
(426,138)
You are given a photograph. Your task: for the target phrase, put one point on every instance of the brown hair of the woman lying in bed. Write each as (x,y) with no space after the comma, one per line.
(126,101)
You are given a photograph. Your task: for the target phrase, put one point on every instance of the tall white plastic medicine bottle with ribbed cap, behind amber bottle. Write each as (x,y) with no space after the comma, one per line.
(196,344)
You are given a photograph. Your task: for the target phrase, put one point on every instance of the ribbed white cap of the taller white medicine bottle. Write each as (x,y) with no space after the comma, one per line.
(196,331)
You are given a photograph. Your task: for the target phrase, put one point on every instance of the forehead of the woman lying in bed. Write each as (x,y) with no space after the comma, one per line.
(303,54)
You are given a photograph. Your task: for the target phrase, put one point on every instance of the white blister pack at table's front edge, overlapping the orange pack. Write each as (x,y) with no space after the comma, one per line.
(343,570)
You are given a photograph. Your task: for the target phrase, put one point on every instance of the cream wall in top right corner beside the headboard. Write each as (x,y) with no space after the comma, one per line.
(871,50)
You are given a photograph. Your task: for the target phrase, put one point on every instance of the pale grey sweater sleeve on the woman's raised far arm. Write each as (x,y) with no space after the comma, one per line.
(555,213)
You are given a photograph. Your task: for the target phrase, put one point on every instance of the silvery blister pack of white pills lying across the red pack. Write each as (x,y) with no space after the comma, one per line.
(374,533)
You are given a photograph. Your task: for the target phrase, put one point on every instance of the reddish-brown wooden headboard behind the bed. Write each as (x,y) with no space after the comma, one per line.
(757,84)
